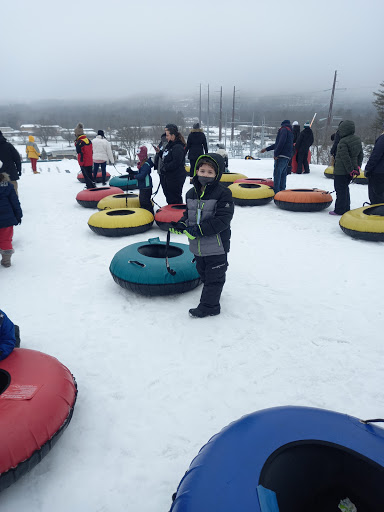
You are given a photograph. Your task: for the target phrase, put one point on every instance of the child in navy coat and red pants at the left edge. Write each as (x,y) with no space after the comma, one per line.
(10,215)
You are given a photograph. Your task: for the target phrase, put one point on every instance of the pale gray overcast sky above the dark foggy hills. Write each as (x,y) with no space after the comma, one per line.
(111,49)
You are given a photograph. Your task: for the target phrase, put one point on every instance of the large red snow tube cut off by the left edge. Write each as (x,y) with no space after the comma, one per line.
(37,397)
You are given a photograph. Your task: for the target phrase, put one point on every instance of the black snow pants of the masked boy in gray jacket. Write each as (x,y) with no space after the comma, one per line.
(212,271)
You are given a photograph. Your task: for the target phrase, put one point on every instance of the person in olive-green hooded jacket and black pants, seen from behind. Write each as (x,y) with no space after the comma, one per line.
(349,158)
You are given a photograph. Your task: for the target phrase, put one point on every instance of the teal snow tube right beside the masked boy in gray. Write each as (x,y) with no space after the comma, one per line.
(142,268)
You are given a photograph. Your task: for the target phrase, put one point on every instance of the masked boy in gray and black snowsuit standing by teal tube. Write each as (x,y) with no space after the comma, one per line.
(206,223)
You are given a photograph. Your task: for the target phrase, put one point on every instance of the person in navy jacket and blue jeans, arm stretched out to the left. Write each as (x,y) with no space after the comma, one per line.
(283,150)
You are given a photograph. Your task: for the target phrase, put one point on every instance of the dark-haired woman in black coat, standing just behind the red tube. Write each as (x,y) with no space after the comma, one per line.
(173,165)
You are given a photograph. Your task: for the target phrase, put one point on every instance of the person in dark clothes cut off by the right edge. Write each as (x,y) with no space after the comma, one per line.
(374,171)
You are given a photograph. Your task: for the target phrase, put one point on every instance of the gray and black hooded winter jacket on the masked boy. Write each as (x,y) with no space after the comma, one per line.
(212,210)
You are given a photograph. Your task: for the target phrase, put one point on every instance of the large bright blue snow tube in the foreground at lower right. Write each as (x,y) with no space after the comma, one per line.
(308,459)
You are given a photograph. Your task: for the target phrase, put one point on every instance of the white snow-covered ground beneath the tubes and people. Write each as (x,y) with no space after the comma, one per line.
(301,324)
